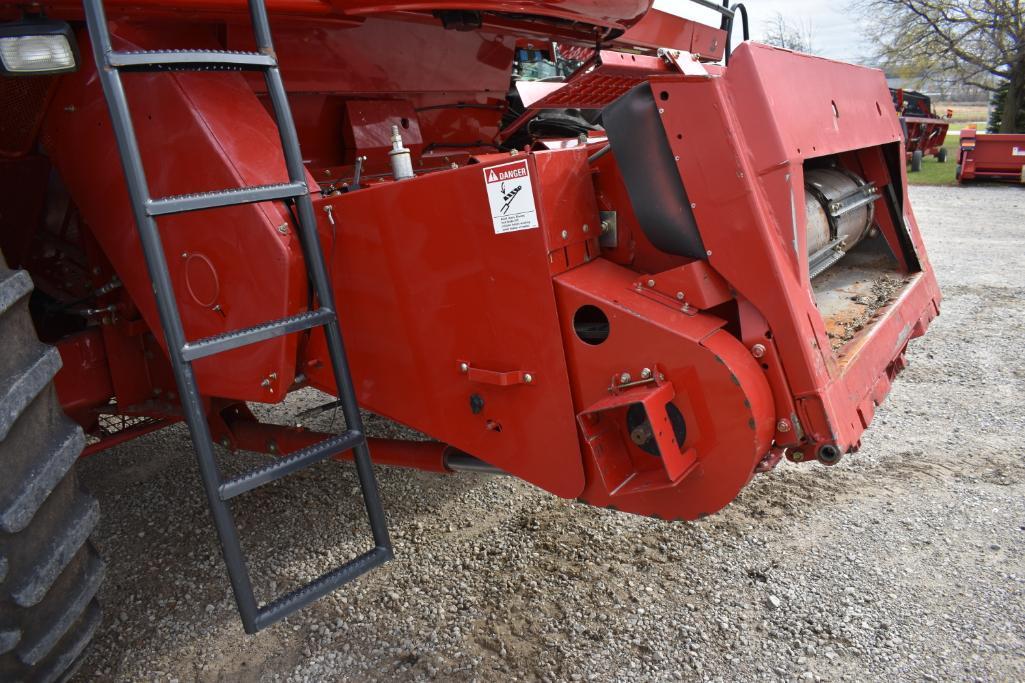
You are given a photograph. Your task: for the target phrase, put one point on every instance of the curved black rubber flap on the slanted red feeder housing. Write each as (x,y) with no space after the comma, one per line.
(635,130)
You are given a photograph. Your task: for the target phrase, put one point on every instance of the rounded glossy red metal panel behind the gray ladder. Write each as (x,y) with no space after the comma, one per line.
(232,268)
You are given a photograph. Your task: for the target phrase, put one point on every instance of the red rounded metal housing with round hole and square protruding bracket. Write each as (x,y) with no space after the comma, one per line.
(718,387)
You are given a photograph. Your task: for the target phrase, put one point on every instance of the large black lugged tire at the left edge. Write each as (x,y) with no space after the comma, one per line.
(50,571)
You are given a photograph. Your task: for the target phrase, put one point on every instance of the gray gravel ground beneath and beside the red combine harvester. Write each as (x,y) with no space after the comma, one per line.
(906,563)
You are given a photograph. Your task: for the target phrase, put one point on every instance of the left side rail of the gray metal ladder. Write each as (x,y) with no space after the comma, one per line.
(168,308)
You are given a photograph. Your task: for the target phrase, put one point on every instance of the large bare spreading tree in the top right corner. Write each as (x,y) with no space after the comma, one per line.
(974,43)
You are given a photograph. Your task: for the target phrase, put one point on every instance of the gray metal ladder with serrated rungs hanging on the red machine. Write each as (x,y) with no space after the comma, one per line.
(183,352)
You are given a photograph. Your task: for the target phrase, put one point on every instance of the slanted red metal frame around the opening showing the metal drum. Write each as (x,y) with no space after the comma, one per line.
(742,143)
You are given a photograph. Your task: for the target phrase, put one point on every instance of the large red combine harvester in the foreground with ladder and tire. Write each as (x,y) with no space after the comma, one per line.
(706,264)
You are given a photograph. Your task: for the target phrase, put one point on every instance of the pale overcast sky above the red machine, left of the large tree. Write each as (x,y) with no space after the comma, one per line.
(837,32)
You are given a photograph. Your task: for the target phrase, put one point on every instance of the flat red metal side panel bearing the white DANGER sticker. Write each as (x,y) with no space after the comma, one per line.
(429,290)
